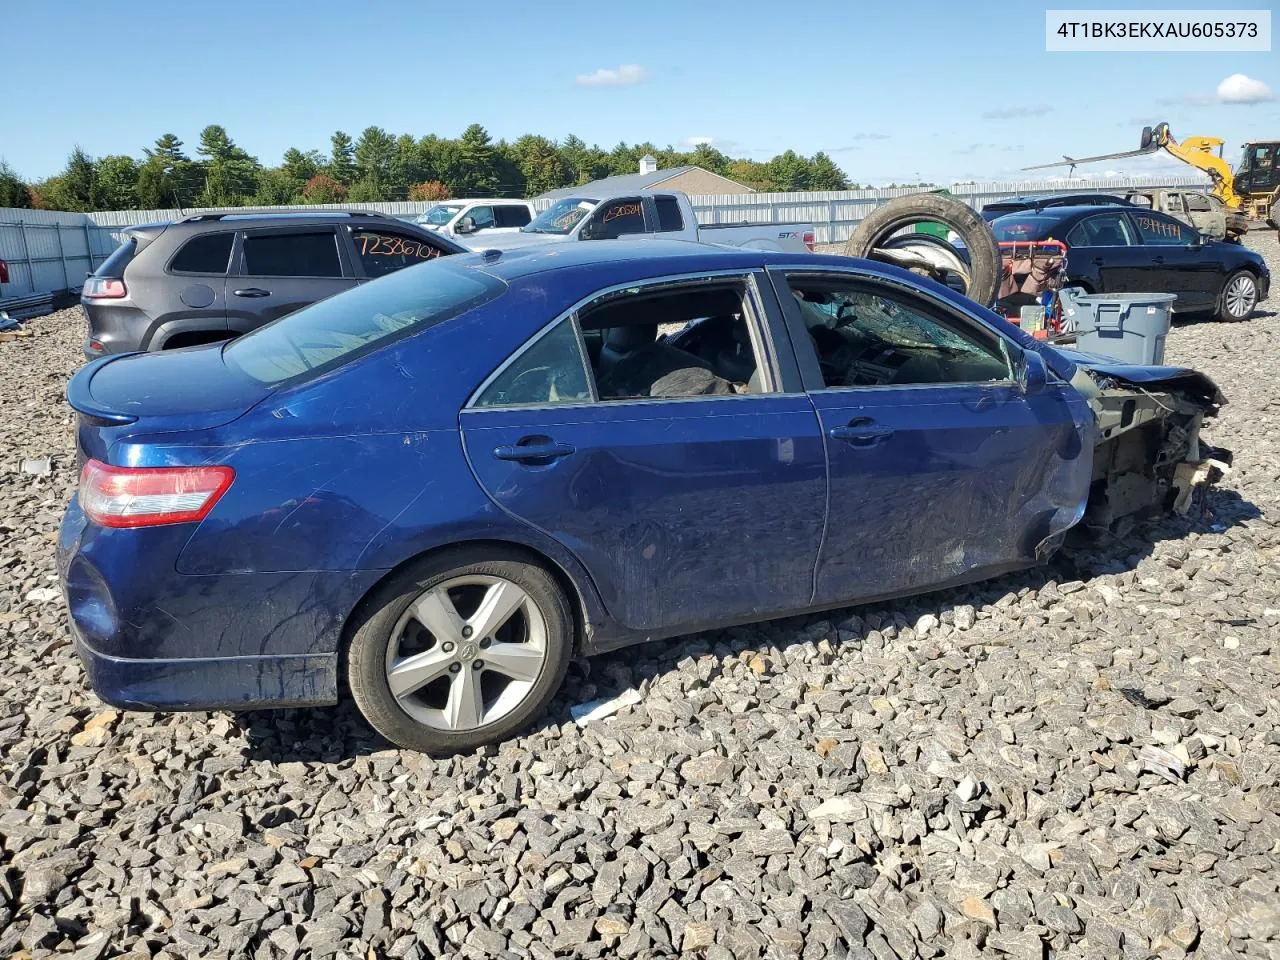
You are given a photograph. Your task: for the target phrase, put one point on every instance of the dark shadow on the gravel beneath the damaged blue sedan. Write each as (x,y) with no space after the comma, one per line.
(337,734)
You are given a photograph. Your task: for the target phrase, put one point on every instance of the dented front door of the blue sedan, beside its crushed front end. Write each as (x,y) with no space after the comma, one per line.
(941,470)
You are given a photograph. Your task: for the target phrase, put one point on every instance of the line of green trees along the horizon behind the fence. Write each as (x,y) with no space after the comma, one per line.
(377,167)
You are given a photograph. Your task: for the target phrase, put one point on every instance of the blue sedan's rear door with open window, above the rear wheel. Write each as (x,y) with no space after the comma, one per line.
(692,490)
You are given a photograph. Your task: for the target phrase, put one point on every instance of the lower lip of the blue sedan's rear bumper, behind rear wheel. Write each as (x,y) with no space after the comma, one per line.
(211,684)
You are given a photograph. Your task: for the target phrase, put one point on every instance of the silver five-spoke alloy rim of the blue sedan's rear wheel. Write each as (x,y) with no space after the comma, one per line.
(467,652)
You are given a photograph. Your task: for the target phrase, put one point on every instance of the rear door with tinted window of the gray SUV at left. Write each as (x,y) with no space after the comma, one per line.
(282,269)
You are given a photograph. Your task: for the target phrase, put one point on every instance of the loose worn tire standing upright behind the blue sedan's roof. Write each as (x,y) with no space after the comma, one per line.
(884,222)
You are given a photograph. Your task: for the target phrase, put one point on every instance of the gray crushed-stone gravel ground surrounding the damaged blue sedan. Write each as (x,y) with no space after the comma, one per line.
(957,775)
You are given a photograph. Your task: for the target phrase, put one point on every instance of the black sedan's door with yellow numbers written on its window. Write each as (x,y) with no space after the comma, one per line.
(1177,260)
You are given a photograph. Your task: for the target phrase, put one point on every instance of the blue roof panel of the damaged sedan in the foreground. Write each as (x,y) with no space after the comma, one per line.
(637,257)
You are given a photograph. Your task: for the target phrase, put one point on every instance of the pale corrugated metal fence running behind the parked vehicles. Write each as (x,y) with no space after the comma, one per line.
(52,252)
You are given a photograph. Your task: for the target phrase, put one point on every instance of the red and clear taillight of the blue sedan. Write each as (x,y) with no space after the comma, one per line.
(127,497)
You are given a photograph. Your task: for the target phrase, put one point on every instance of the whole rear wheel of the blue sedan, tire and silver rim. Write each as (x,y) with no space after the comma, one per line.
(460,651)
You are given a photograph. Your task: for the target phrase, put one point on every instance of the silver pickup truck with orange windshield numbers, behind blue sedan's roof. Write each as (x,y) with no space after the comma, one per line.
(641,216)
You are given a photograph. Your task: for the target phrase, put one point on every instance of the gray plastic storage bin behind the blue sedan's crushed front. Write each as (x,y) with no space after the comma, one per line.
(1127,327)
